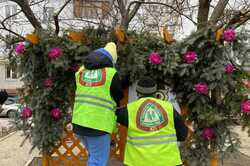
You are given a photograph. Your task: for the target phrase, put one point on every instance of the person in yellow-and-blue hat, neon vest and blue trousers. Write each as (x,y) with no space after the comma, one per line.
(98,92)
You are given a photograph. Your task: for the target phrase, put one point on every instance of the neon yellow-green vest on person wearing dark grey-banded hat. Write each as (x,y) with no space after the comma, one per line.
(151,136)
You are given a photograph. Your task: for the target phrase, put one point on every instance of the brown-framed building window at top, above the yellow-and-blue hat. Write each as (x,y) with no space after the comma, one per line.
(91,9)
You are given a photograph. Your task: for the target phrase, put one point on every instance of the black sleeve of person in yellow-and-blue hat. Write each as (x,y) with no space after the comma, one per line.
(116,89)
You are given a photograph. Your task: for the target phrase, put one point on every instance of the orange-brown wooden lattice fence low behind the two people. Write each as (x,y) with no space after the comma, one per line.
(70,152)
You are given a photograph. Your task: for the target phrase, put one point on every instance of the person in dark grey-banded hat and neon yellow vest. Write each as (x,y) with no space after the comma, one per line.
(154,128)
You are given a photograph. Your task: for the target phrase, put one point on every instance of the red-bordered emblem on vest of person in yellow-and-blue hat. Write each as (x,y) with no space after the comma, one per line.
(93,77)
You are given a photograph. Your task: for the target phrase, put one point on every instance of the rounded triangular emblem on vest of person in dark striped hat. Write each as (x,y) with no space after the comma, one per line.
(151,116)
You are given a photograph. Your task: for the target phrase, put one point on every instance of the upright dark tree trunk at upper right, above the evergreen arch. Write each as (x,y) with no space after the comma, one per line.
(203,13)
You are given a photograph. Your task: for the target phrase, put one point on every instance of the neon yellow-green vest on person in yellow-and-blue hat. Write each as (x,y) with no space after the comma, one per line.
(94,107)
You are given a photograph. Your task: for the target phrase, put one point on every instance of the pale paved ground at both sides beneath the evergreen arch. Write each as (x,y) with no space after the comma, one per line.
(11,154)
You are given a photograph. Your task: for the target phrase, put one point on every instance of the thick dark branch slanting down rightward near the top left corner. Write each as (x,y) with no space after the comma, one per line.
(25,7)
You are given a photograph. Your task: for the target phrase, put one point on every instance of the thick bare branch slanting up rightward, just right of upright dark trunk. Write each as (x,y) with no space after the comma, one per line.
(218,11)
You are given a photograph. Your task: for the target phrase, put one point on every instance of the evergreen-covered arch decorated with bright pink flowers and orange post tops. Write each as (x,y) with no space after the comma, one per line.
(205,71)
